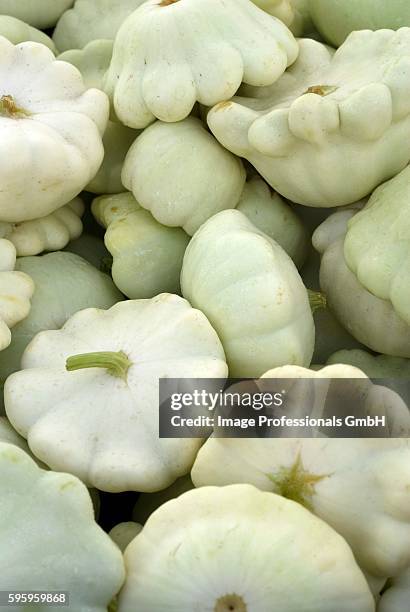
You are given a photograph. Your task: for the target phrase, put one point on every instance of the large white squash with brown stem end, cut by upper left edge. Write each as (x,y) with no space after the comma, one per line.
(51,128)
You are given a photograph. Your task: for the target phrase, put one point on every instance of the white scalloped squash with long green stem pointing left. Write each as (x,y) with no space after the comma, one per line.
(87,396)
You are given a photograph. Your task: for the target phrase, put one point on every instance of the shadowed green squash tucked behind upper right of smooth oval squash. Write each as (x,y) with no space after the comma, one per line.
(275,218)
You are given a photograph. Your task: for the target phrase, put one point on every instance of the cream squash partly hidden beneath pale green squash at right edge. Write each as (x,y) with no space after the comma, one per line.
(369,319)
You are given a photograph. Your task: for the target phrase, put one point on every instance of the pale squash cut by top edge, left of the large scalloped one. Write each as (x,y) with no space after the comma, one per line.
(90,20)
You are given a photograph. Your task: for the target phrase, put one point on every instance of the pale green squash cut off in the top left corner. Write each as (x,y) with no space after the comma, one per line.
(40,13)
